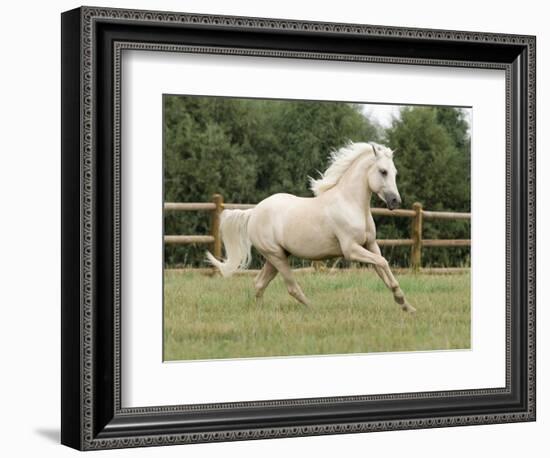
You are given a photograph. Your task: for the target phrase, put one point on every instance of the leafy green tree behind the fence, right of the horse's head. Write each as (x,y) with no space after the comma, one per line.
(433,159)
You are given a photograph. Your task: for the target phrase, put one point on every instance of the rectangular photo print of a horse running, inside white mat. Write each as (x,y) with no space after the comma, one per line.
(309,228)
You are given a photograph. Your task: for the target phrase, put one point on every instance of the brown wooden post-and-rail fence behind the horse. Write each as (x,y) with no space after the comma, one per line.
(416,242)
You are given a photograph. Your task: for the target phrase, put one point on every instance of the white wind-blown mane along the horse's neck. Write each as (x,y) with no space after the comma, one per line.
(340,161)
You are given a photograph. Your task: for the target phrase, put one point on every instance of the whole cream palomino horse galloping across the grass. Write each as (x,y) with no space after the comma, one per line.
(336,222)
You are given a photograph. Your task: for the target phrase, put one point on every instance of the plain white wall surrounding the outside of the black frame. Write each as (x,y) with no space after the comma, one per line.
(30,244)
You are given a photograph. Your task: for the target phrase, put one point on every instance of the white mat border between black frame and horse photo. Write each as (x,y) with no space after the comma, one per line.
(147,76)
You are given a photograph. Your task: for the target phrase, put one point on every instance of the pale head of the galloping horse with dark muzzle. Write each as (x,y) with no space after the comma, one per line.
(381,176)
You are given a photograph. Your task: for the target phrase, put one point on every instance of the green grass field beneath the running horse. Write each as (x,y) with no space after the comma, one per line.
(352,312)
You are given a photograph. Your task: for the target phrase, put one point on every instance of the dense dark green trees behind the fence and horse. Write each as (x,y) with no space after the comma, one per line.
(248,149)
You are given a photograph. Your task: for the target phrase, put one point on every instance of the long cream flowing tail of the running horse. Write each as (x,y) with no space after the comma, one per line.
(233,228)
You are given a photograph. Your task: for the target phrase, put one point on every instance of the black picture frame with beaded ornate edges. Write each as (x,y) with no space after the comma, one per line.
(92,416)
